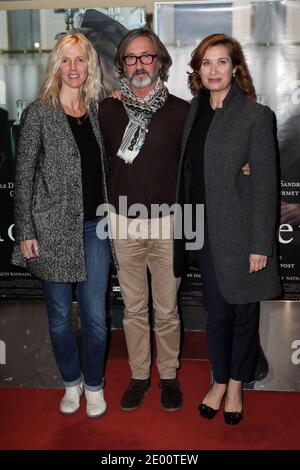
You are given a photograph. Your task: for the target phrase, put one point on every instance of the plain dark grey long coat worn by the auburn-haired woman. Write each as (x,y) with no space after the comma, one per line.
(241,210)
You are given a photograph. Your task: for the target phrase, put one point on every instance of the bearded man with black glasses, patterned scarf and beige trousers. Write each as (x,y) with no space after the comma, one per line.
(142,135)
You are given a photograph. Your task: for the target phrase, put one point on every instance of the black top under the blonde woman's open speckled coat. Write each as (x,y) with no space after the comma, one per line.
(91,172)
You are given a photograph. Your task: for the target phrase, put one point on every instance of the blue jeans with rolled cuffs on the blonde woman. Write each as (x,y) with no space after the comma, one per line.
(92,309)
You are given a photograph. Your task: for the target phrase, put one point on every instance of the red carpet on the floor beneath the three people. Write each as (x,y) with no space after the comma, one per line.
(30,418)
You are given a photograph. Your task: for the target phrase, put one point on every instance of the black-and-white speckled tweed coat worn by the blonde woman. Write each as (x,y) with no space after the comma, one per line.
(48,193)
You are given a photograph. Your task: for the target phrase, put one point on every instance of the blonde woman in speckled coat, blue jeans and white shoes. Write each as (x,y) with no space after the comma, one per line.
(60,182)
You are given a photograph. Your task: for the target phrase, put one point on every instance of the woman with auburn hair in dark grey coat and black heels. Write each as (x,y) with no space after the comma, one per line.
(225,129)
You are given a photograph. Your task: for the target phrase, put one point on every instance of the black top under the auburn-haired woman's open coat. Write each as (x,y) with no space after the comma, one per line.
(195,150)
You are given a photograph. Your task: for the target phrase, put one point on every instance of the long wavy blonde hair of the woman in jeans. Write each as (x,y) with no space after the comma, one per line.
(92,88)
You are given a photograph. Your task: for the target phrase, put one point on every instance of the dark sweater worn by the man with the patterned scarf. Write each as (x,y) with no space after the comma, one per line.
(151,178)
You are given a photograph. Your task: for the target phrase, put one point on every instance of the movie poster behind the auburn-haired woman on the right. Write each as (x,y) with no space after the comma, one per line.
(270,35)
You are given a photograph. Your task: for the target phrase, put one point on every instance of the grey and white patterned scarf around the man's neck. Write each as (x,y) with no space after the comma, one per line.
(139,112)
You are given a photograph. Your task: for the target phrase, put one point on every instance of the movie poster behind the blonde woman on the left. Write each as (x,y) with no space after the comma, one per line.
(21,75)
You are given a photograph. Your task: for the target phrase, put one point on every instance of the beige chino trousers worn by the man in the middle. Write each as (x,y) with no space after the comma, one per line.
(148,243)
